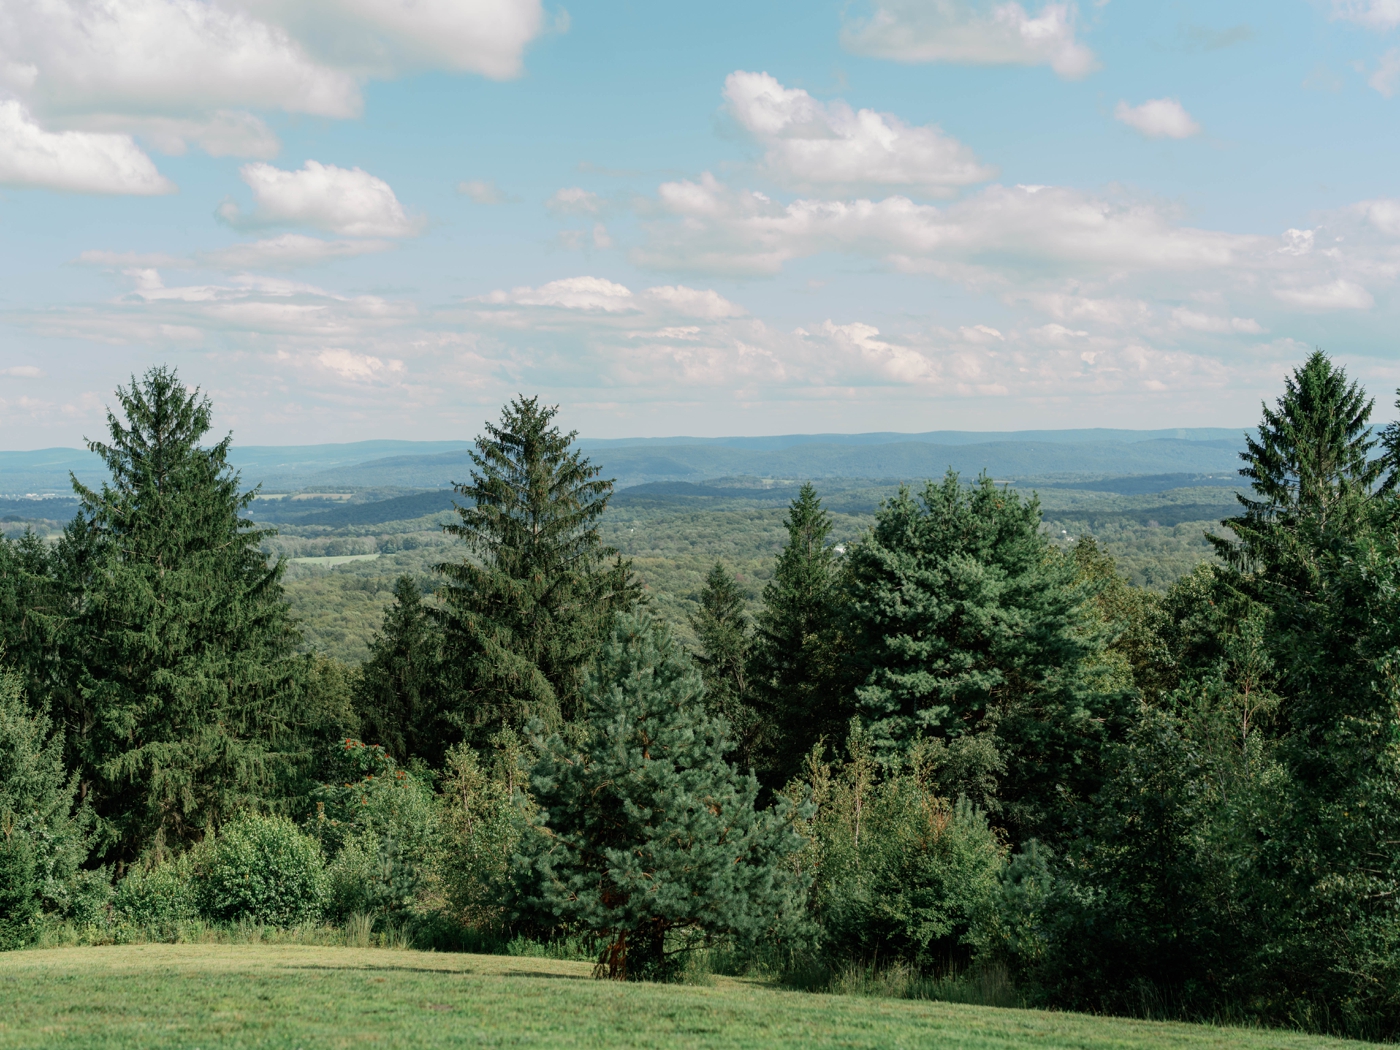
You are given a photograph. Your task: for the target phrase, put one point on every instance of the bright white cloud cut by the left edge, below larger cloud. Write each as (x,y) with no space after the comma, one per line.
(73,162)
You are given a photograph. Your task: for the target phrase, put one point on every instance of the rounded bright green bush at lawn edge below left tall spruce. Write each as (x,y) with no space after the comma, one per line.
(265,871)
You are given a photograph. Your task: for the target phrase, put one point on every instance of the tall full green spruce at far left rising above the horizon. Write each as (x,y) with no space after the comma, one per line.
(184,692)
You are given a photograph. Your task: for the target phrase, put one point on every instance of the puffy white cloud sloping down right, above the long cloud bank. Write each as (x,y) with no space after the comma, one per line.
(810,143)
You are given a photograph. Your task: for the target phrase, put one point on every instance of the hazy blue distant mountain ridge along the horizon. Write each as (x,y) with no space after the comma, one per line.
(642,461)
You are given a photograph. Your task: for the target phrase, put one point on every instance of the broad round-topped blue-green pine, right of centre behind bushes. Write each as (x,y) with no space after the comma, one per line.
(967,624)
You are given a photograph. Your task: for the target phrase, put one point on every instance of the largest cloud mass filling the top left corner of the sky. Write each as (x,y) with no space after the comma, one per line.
(190,72)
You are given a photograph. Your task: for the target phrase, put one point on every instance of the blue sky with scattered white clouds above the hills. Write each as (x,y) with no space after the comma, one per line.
(383,219)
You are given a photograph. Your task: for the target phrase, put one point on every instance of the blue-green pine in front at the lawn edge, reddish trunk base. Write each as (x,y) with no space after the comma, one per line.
(646,834)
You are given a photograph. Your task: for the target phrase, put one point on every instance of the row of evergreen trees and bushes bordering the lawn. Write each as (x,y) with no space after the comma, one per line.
(948,747)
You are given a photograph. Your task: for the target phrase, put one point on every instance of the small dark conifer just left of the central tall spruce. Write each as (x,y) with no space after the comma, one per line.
(400,689)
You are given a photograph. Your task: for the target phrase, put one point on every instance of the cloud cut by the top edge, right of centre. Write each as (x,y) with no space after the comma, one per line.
(972,31)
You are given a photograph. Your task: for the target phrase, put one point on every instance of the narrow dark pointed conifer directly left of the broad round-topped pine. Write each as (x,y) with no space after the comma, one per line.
(797,667)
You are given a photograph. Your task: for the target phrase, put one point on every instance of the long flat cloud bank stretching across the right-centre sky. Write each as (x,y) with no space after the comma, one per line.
(717,229)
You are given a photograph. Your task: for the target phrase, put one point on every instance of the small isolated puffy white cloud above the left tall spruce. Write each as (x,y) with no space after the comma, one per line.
(341,201)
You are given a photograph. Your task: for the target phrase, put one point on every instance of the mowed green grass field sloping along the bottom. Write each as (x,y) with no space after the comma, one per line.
(289,996)
